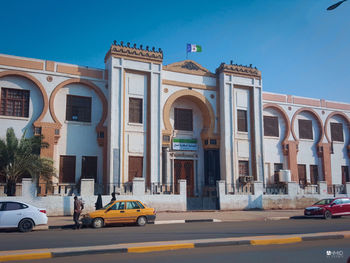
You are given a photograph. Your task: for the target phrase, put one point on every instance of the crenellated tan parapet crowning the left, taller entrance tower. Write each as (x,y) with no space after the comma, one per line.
(127,51)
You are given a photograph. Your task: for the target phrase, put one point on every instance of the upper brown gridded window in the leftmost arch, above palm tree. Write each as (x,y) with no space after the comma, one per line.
(14,102)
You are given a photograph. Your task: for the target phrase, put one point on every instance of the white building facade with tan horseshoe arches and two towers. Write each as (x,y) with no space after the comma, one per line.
(138,118)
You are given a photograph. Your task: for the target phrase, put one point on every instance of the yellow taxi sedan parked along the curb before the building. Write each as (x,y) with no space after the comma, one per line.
(121,211)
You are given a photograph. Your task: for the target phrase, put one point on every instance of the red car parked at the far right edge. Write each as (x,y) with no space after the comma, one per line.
(328,208)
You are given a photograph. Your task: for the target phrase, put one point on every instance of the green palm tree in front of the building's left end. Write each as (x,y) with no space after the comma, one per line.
(19,158)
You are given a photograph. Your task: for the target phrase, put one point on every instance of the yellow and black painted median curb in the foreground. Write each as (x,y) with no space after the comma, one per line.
(167,245)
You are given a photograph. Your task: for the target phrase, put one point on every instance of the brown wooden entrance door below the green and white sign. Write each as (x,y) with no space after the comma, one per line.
(183,169)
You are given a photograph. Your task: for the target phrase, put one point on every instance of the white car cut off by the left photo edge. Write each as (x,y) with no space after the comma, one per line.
(21,215)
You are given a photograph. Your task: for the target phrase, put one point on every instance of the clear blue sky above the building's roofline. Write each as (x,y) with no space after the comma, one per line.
(301,48)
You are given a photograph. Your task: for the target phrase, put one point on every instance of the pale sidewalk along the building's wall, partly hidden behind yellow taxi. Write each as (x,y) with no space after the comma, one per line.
(223,216)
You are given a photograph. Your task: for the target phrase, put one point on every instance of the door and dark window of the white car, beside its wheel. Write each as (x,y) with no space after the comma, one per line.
(12,213)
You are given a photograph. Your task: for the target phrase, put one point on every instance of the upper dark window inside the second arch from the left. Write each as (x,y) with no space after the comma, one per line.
(78,108)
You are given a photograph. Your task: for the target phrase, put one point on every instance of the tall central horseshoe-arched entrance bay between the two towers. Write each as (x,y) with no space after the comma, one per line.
(193,149)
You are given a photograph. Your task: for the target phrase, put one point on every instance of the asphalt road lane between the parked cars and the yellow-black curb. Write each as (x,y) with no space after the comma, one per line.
(131,234)
